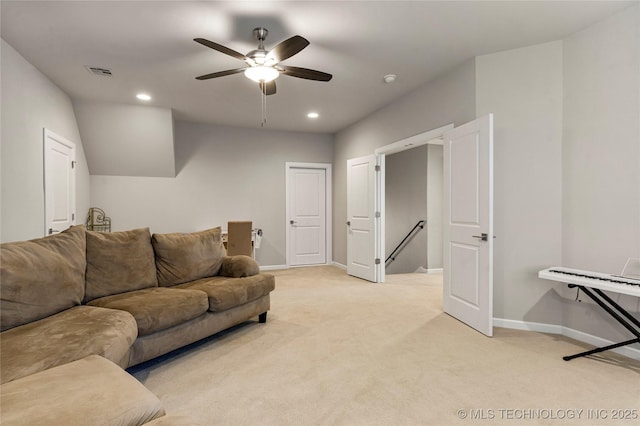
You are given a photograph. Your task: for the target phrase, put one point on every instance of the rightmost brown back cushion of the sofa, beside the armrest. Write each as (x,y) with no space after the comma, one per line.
(186,257)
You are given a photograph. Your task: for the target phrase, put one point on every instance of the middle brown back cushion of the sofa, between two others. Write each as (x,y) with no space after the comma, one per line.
(118,262)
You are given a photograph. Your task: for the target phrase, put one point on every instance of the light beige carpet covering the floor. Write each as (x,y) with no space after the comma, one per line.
(337,350)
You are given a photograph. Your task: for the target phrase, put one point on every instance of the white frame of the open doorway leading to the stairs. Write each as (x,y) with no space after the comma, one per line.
(431,137)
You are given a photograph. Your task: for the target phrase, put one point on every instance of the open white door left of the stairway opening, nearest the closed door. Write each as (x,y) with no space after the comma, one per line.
(361,218)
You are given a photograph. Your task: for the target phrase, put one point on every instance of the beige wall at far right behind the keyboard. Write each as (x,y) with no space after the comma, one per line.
(601,160)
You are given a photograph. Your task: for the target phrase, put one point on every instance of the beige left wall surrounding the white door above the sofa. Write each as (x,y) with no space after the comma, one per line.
(30,103)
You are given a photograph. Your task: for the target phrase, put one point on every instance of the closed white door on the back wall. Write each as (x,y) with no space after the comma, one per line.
(307,216)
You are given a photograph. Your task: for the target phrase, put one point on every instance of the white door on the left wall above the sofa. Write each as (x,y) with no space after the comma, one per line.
(59,182)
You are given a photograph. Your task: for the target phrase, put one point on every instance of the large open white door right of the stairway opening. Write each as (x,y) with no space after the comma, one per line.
(468,224)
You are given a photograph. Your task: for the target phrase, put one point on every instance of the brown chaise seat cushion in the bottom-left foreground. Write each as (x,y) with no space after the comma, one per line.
(90,391)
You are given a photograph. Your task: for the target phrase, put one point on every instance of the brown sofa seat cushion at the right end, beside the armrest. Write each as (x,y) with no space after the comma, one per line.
(225,293)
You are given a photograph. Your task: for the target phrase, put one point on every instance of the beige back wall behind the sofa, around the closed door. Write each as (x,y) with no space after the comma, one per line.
(224,173)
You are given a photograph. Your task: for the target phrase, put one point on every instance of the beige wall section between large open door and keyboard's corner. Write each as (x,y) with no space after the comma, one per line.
(523,89)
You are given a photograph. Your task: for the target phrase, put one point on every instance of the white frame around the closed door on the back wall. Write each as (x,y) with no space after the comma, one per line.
(328,207)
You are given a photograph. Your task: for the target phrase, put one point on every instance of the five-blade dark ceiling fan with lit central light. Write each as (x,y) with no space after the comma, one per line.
(264,66)
